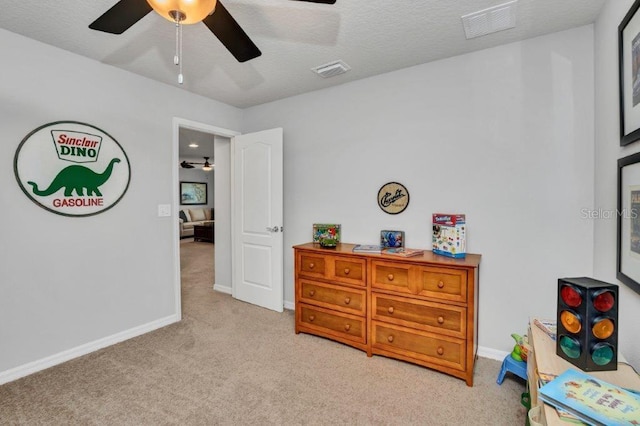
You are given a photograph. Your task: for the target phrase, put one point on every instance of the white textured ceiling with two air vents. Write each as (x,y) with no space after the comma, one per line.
(371,36)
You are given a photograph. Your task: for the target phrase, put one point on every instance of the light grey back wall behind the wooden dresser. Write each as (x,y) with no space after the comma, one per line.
(504,135)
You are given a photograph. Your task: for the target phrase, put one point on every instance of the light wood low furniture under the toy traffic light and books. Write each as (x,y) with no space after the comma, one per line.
(543,359)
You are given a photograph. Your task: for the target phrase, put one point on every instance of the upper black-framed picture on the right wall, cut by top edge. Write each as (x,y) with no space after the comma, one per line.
(629,75)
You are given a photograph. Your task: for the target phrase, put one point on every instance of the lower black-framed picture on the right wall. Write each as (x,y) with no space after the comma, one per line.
(628,213)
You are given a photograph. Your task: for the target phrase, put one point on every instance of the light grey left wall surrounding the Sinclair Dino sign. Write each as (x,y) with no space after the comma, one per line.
(69,285)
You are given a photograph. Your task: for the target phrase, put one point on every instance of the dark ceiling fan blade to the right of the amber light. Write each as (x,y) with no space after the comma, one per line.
(232,36)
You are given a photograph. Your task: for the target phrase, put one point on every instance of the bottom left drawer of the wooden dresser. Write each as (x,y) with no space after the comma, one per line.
(333,323)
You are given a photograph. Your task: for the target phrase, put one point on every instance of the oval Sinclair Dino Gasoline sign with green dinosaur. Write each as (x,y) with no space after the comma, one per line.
(72,168)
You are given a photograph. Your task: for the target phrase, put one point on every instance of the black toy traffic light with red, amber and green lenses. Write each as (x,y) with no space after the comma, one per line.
(588,323)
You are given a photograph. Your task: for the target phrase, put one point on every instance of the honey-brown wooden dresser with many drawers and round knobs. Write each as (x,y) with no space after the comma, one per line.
(420,309)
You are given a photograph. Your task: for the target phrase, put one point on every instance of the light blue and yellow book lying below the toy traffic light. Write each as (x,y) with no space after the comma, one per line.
(592,400)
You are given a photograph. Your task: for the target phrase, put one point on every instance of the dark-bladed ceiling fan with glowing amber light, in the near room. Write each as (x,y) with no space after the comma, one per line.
(125,13)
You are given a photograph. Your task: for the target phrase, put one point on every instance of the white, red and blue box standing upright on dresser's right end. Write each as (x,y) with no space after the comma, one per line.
(449,235)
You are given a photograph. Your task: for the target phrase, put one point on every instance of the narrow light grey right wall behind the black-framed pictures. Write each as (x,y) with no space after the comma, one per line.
(608,151)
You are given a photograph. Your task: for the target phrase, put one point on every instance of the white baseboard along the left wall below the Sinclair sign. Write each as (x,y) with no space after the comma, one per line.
(44,363)
